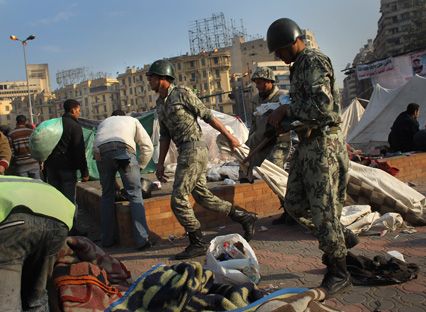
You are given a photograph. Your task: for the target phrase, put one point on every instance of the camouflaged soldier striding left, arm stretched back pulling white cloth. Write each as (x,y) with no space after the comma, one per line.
(178,108)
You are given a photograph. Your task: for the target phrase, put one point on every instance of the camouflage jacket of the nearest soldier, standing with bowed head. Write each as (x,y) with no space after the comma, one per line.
(312,89)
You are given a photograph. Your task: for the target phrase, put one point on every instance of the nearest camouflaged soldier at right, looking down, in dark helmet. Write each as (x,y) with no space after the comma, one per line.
(319,169)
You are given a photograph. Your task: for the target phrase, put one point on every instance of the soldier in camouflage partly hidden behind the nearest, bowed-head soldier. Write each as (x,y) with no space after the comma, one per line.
(268,92)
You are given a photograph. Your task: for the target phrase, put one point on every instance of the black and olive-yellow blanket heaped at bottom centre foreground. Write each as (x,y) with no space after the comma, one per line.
(184,287)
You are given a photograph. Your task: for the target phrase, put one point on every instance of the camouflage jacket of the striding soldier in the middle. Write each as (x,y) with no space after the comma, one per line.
(177,115)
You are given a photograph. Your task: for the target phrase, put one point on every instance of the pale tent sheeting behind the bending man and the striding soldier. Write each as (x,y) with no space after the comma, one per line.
(150,123)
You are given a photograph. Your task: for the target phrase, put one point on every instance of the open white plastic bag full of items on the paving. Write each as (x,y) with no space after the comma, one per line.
(239,263)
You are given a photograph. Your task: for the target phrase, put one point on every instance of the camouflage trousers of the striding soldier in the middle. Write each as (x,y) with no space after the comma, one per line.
(190,178)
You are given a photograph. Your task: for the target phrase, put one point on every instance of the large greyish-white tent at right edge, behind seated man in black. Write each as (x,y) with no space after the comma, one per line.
(385,105)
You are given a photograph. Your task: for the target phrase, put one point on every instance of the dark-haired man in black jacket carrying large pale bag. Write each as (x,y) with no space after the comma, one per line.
(69,154)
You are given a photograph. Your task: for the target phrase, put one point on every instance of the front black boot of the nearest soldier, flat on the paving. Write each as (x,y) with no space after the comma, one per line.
(337,277)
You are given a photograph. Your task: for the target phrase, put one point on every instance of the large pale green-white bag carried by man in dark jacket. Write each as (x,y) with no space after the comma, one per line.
(45,138)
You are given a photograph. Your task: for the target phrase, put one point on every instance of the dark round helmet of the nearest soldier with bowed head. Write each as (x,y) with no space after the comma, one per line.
(282,33)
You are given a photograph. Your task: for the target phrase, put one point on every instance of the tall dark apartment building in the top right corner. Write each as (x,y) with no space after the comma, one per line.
(401,27)
